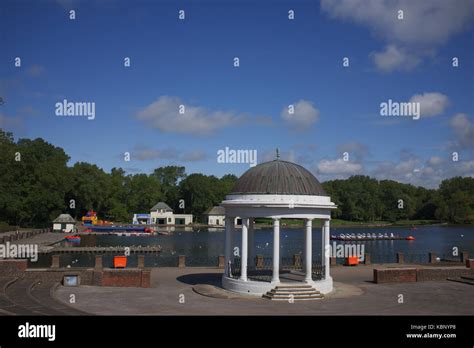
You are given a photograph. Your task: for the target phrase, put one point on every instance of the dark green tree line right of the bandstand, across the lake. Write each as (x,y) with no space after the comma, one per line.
(361,198)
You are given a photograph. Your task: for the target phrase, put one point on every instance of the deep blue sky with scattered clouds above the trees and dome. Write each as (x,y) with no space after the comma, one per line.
(299,62)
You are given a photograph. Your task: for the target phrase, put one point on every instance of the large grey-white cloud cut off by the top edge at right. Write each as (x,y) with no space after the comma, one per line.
(425,23)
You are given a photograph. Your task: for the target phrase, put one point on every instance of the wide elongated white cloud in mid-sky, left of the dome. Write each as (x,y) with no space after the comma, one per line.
(163,114)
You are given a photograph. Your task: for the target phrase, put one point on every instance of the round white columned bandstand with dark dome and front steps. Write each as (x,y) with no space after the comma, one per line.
(277,190)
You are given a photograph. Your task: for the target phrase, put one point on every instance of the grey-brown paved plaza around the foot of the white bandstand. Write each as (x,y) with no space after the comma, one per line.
(196,291)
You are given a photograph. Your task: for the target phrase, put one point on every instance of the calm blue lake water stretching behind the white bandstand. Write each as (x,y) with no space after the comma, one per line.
(203,245)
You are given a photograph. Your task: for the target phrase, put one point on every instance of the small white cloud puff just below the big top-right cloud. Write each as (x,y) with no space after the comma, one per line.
(394,58)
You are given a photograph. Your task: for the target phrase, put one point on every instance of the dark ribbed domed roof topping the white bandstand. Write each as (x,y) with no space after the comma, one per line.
(278,177)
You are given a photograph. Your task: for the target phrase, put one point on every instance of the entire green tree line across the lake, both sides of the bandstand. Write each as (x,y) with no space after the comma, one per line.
(36,185)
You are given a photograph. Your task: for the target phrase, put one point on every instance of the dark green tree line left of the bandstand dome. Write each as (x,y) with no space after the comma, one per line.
(36,185)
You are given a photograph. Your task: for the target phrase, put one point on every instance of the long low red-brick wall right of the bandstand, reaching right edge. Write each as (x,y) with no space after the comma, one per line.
(400,275)
